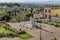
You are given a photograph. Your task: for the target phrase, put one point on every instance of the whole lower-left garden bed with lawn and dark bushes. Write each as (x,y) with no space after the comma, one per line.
(7,31)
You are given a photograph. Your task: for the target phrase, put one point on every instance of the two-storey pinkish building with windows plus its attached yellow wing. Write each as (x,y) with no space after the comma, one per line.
(51,11)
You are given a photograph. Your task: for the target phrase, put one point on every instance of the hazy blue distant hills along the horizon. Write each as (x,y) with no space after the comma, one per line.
(40,4)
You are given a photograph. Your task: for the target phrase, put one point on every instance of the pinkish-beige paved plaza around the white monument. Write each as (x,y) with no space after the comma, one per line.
(48,32)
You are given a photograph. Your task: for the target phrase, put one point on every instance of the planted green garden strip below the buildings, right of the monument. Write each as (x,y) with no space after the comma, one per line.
(50,22)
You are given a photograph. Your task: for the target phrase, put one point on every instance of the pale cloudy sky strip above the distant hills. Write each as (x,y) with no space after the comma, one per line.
(21,1)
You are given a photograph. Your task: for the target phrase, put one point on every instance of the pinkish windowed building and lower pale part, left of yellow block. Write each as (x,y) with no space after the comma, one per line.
(44,13)
